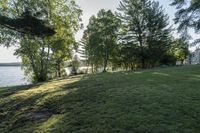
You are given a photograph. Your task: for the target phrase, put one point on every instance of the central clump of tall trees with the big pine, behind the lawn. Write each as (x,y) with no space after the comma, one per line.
(137,36)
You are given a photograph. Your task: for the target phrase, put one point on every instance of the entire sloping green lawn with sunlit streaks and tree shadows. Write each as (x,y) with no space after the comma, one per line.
(151,101)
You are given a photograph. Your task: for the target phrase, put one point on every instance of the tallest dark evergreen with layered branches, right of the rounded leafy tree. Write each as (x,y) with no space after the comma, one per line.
(145,32)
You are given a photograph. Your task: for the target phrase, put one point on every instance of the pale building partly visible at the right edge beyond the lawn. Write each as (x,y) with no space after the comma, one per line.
(195,57)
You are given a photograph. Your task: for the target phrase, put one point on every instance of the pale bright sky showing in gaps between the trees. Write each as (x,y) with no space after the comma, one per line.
(89,7)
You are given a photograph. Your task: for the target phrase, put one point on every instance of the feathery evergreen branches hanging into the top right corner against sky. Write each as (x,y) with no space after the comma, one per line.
(187,16)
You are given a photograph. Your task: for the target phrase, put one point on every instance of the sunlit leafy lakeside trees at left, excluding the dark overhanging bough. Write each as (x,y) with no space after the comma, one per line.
(42,55)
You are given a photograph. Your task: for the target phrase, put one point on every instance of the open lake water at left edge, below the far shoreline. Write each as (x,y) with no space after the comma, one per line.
(12,76)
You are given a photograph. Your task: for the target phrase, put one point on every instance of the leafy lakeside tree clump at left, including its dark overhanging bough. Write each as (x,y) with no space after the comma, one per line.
(44,32)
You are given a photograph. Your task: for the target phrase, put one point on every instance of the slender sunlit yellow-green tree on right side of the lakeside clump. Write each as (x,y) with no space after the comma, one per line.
(66,24)
